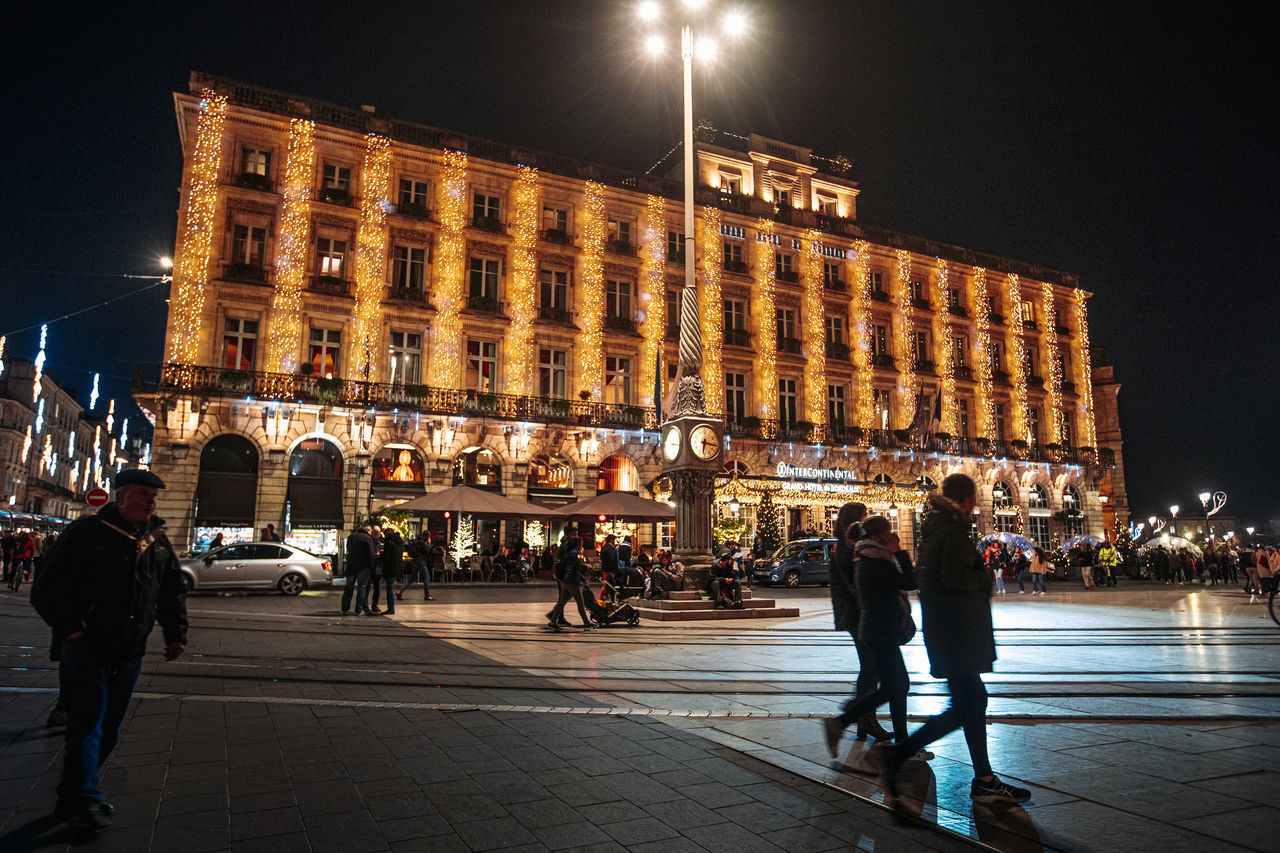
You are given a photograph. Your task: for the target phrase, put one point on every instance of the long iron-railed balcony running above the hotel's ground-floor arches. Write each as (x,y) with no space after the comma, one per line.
(208,382)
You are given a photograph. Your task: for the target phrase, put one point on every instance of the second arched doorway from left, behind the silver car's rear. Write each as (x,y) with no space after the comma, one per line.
(314,507)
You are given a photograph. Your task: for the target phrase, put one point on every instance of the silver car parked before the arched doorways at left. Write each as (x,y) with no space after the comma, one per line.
(258,565)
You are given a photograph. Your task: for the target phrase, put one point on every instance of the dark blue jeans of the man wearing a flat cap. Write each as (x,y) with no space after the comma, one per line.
(95,692)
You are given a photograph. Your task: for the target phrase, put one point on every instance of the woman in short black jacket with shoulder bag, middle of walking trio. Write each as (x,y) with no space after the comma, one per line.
(883,574)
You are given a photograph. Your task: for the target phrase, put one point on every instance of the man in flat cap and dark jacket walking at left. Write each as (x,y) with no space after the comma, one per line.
(111,578)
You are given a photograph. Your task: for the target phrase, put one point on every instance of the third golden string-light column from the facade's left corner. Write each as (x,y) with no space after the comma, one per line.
(376,181)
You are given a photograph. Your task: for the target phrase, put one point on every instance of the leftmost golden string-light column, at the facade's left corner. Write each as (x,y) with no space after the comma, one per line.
(196,249)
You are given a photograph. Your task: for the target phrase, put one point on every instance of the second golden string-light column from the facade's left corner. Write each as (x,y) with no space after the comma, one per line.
(291,264)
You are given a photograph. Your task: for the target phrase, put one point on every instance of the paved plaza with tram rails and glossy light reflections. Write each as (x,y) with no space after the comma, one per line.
(1141,718)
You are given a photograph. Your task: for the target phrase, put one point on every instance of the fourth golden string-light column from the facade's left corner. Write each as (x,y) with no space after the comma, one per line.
(447,358)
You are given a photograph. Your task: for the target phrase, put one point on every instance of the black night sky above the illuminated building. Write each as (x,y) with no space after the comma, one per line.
(1124,145)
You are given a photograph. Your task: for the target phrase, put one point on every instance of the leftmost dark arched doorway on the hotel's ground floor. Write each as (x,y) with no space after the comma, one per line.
(226,494)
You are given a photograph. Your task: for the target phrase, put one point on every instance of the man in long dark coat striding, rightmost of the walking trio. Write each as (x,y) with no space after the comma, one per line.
(956,604)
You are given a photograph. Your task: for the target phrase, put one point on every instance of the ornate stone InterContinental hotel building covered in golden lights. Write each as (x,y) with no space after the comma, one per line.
(365,309)
